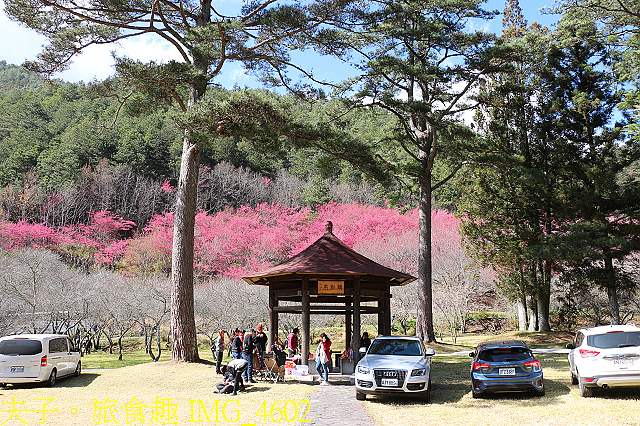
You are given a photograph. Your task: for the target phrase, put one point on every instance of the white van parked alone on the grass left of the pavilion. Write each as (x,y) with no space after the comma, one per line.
(29,358)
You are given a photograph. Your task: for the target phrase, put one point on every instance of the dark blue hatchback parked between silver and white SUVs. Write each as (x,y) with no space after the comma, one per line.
(505,366)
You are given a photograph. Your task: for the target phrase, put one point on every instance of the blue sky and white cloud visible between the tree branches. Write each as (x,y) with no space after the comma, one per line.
(18,43)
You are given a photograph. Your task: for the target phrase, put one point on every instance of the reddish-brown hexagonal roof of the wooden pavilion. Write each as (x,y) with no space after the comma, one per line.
(329,256)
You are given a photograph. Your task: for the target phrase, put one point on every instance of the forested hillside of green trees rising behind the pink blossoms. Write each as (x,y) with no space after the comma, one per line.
(62,155)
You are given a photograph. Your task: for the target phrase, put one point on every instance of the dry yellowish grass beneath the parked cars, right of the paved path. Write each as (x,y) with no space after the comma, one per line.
(452,404)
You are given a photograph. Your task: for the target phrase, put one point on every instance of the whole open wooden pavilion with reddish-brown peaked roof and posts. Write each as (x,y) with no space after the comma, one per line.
(330,278)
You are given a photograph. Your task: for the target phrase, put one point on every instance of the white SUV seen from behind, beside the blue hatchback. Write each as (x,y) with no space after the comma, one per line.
(605,357)
